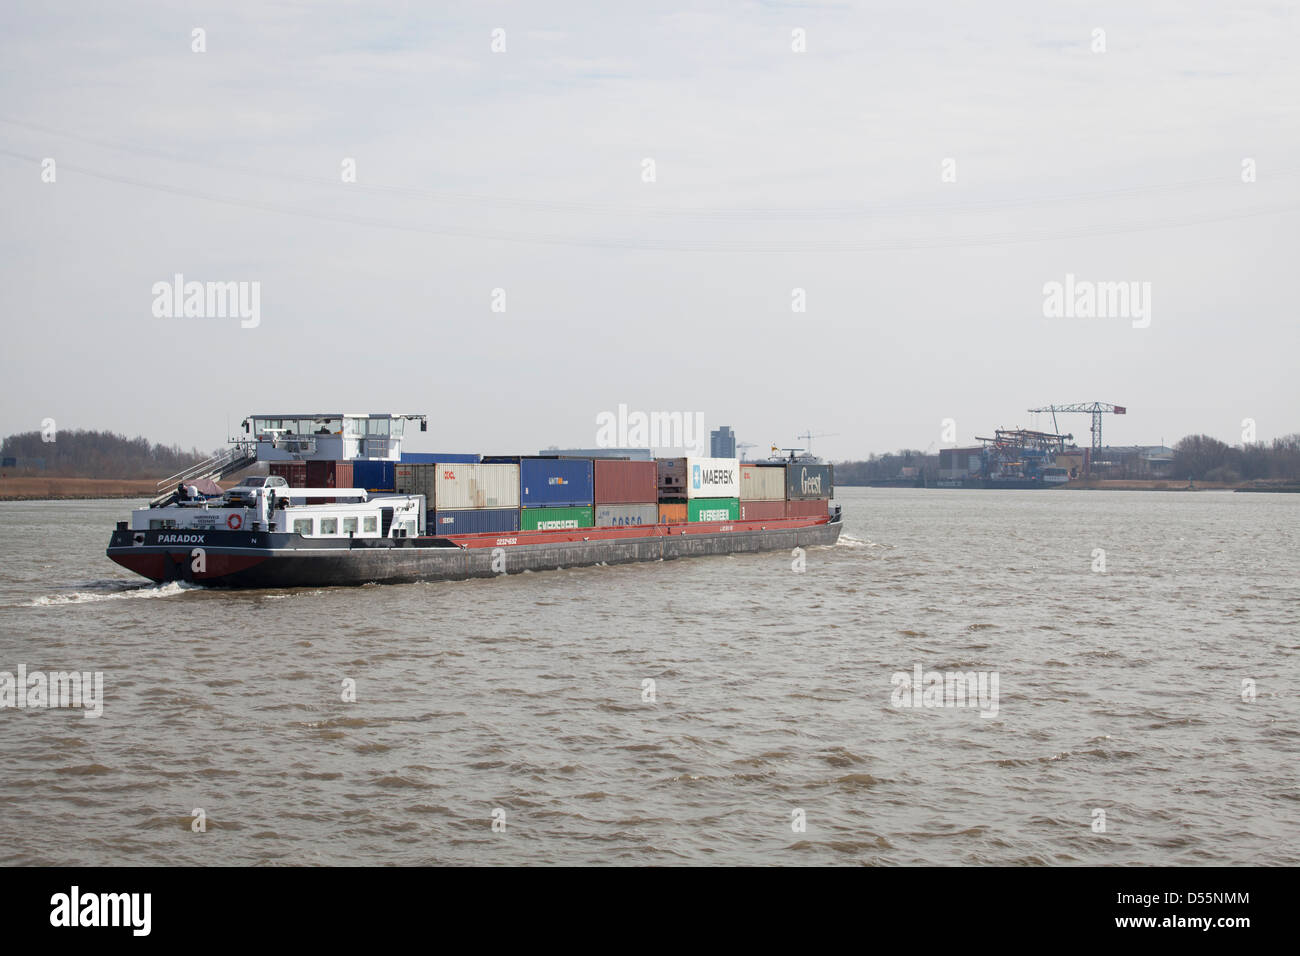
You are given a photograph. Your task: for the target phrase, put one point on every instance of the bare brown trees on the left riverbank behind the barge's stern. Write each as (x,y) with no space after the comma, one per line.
(93,455)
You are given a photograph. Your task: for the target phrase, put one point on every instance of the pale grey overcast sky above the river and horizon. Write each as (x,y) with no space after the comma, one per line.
(774,171)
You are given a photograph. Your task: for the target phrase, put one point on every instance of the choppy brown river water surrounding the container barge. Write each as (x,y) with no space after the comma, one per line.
(1160,693)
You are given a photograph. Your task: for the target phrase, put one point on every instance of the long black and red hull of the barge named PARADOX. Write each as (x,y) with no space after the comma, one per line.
(263,560)
